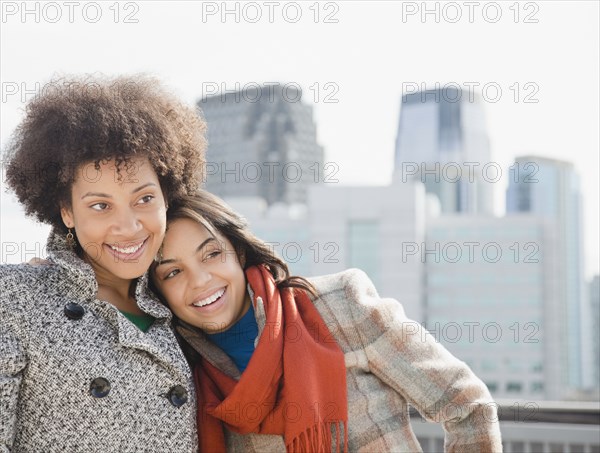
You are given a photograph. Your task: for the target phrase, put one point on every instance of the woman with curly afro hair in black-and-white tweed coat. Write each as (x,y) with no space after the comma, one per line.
(88,358)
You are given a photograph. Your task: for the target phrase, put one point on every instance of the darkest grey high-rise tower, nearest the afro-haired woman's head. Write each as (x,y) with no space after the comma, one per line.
(262,142)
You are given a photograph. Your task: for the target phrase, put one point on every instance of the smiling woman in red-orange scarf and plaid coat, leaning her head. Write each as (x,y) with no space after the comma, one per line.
(319,364)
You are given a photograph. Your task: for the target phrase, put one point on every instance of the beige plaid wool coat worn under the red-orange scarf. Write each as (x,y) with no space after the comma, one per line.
(391,363)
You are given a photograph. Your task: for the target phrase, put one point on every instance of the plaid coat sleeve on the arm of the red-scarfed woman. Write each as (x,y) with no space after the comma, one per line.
(406,357)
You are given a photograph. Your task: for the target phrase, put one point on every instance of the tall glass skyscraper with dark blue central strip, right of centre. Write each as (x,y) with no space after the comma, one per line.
(442,141)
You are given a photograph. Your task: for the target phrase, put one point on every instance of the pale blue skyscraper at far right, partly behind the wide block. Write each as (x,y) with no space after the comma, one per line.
(549,188)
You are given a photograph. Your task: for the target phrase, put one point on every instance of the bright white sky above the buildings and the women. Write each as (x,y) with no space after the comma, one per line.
(368,54)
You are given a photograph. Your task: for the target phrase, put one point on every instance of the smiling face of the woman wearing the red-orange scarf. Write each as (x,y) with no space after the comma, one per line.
(201,278)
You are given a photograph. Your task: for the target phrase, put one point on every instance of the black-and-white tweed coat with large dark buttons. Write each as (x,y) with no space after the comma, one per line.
(77,376)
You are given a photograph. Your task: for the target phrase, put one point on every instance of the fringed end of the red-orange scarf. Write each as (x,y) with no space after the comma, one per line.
(315,438)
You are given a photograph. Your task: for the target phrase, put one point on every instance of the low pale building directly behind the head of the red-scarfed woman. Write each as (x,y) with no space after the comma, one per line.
(375,229)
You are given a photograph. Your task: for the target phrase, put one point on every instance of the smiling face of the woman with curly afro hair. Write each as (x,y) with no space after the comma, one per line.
(119,222)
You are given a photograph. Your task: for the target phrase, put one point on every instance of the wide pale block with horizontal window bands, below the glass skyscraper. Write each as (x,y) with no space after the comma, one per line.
(489,297)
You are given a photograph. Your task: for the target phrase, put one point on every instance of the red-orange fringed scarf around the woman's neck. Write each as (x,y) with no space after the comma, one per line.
(294,385)
